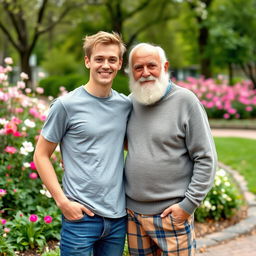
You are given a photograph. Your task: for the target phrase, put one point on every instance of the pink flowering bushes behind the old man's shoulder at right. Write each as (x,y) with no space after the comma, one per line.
(223,101)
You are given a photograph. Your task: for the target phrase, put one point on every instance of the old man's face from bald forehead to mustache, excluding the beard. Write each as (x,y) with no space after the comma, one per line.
(146,65)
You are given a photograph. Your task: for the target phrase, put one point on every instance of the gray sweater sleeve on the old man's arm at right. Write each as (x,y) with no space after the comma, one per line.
(201,149)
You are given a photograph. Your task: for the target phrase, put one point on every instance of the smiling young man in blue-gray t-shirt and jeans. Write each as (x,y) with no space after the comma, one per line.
(89,123)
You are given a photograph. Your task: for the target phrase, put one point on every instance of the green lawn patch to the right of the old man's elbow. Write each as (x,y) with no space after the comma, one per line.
(240,155)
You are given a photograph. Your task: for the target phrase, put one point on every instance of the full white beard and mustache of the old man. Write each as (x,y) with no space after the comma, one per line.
(149,94)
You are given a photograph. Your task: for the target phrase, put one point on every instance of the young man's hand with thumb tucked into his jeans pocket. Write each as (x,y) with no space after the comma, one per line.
(74,210)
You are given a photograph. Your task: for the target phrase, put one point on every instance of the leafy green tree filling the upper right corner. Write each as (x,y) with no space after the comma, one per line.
(233,36)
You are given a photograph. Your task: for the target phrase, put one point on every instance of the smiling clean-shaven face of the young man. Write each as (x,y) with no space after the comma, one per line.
(104,63)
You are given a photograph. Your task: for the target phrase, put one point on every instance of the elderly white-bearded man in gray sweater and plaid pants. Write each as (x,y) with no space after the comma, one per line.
(171,158)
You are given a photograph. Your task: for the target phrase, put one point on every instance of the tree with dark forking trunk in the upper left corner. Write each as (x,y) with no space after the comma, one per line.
(23,22)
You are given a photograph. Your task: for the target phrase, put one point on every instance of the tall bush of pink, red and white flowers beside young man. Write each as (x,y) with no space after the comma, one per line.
(22,114)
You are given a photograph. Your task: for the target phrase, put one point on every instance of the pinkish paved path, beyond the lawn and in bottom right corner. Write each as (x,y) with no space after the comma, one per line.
(244,245)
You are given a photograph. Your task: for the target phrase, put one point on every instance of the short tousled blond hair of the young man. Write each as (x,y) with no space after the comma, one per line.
(103,37)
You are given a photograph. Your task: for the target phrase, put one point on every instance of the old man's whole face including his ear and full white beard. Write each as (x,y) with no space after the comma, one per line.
(149,77)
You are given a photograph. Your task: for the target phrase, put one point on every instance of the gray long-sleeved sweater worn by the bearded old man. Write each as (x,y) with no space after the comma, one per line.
(171,154)
